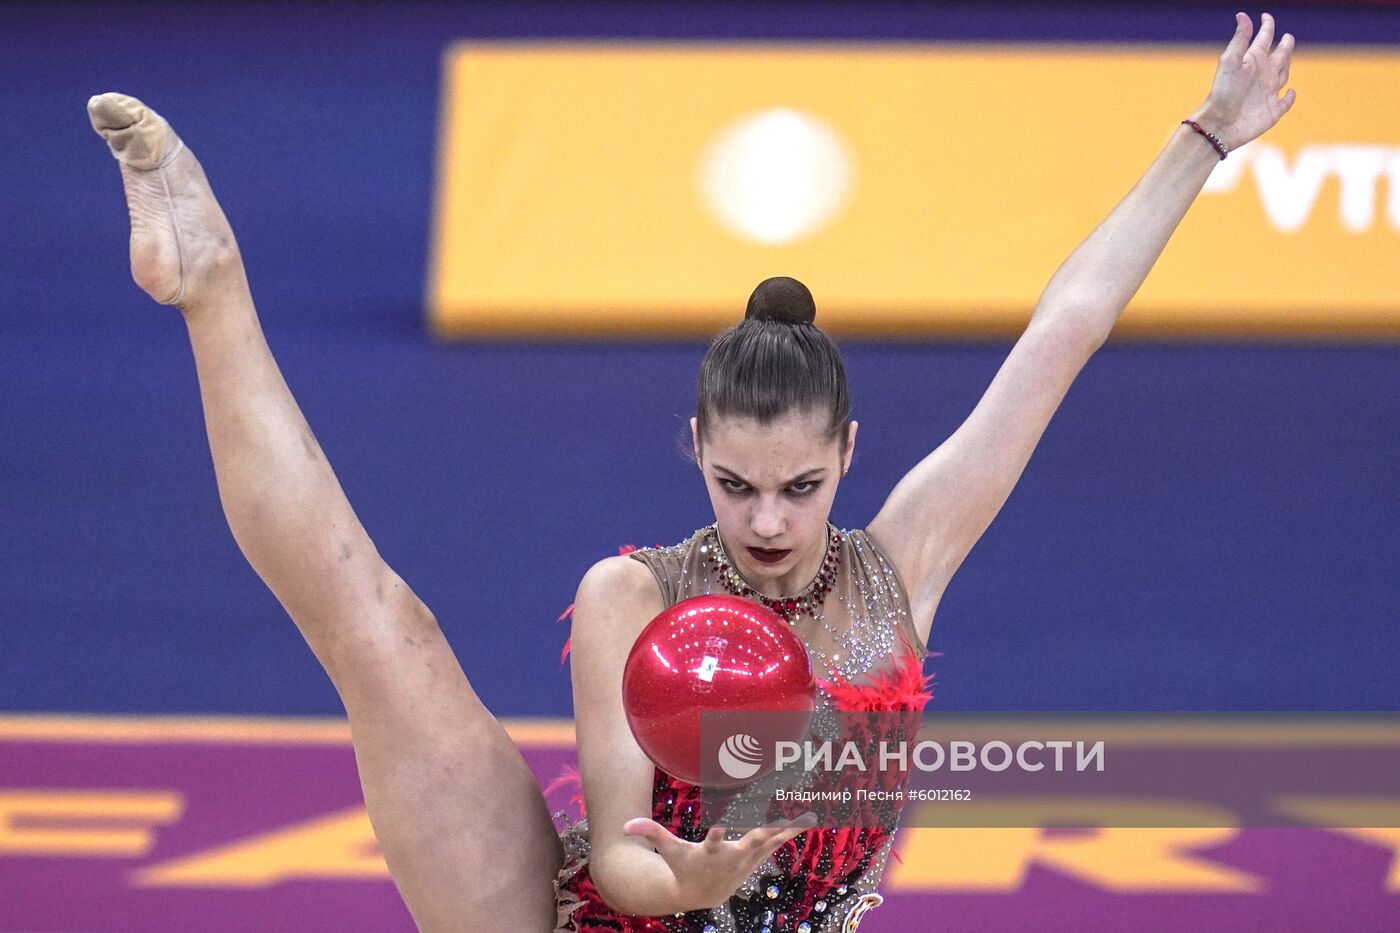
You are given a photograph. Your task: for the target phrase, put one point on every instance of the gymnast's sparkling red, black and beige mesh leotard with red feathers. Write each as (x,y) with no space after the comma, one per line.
(827,879)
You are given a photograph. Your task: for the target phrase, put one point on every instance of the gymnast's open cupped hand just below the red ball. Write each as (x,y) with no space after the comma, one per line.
(708,873)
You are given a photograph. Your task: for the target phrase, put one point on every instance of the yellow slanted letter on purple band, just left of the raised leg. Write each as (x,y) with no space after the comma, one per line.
(337,847)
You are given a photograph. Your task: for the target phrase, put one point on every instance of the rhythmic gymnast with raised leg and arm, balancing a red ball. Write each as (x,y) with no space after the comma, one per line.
(460,817)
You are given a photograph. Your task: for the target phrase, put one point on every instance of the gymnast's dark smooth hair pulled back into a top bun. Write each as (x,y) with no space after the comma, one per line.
(773,364)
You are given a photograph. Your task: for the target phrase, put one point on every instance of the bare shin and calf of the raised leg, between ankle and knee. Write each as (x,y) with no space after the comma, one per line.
(281,498)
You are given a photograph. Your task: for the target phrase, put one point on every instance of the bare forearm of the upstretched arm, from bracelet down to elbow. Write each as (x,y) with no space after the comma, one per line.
(1090,291)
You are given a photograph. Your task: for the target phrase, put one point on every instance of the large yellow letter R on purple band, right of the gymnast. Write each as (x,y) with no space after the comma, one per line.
(1121,857)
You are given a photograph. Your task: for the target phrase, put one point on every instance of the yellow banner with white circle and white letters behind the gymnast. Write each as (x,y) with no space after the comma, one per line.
(918,190)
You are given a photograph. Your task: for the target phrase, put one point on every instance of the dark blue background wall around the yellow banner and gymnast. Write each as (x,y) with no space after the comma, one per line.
(1203,527)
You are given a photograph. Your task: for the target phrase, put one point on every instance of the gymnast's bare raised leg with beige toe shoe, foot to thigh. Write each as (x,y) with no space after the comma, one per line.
(460,817)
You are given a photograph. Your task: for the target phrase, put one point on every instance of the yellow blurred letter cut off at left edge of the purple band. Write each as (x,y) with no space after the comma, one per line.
(85,823)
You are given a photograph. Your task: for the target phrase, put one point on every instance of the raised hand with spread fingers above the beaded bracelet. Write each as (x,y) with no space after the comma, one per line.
(1245,99)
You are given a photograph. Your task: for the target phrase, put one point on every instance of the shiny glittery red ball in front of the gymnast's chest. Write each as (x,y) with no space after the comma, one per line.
(716,655)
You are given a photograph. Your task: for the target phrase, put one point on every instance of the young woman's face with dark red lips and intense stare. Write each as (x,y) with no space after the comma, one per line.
(772,490)
